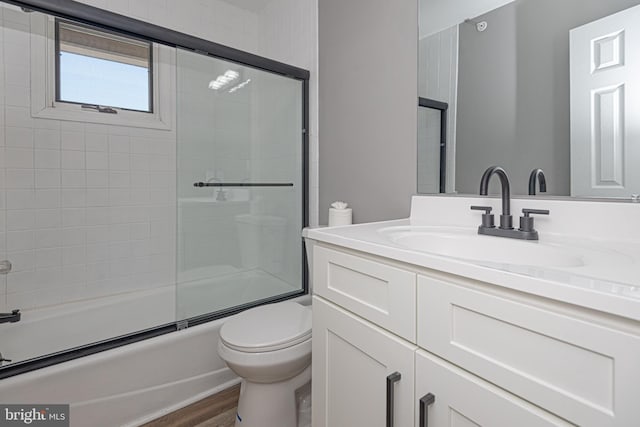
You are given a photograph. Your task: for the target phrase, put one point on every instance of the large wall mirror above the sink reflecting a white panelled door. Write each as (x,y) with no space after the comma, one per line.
(527,84)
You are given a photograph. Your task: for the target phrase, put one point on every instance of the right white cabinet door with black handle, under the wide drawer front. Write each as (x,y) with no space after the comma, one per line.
(464,400)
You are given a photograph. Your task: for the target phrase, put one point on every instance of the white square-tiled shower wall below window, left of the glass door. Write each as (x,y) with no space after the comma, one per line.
(89,209)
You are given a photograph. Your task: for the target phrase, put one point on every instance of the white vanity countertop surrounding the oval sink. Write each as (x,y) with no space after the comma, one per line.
(608,282)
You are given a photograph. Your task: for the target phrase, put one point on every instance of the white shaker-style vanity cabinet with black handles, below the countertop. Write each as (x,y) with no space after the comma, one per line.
(490,356)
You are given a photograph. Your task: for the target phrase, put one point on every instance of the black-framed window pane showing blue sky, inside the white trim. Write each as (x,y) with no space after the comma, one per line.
(101,69)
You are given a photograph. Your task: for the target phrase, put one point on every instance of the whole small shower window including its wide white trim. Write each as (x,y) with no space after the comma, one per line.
(79,72)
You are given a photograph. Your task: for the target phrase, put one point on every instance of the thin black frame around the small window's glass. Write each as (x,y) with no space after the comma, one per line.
(150,59)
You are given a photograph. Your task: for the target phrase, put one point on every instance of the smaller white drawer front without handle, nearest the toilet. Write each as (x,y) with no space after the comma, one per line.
(380,293)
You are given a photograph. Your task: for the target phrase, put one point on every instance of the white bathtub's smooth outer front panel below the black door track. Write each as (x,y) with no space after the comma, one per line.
(131,384)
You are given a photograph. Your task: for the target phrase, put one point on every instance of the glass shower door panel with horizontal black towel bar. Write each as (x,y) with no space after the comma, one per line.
(240,185)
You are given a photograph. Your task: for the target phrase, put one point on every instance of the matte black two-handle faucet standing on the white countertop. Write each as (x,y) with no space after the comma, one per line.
(526,230)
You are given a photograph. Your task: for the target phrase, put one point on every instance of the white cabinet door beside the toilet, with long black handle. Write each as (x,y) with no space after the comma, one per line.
(353,361)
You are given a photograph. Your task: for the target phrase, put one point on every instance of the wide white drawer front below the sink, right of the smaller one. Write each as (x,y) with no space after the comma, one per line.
(583,372)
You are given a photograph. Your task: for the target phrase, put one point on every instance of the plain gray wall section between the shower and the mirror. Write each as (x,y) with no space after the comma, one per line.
(367,106)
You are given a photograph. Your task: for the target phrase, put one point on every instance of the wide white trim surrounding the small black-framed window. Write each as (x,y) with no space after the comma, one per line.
(44,103)
